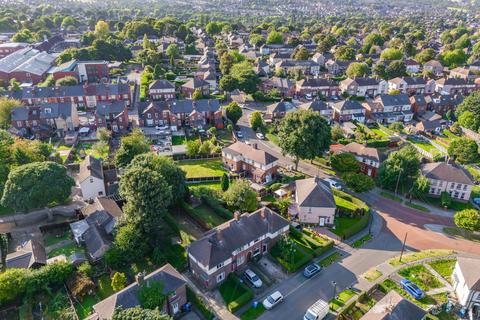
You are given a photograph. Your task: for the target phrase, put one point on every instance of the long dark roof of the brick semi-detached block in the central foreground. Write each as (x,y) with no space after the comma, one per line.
(218,244)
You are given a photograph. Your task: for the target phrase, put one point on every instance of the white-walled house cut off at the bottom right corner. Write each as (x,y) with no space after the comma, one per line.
(466,283)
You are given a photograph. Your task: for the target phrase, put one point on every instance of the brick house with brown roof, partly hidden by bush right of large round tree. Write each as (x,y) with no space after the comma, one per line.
(367,158)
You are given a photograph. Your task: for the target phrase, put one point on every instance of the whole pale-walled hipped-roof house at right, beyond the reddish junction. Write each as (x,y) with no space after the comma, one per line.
(450,178)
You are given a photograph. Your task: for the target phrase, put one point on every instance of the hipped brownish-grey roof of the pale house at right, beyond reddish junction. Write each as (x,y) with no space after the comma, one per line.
(446,172)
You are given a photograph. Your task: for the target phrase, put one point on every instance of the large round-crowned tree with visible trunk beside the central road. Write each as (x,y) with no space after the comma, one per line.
(304,134)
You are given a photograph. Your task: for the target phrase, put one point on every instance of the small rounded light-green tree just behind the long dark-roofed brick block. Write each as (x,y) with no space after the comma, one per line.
(241,196)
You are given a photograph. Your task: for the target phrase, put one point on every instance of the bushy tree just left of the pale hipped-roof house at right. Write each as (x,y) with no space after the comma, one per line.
(400,167)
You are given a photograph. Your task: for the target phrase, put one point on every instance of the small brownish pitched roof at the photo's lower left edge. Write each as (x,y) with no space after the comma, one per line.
(33,252)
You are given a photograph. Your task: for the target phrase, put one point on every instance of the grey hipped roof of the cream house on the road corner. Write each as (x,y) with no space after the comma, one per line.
(313,192)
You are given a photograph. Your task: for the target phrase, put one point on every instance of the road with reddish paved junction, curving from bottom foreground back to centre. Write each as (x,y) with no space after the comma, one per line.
(393,220)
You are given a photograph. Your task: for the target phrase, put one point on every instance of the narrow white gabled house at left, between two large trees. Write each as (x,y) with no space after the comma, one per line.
(91,179)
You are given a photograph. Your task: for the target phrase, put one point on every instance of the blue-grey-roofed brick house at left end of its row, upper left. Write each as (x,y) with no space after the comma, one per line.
(112,116)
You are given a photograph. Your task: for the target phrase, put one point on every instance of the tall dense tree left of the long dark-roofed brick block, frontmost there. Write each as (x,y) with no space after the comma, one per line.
(147,195)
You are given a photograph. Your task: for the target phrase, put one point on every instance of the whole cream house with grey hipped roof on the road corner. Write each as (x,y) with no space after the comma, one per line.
(313,202)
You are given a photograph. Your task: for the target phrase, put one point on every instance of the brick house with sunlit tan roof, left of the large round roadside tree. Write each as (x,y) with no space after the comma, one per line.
(260,165)
